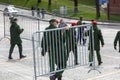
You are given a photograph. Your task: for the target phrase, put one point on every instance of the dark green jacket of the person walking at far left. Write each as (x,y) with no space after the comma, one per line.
(15,32)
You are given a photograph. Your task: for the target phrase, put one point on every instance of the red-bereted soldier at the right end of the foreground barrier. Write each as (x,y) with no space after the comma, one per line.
(94,42)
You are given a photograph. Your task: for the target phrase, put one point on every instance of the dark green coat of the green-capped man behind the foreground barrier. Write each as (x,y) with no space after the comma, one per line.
(53,43)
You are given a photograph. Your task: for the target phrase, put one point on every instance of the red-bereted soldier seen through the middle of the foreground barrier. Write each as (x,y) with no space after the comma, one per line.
(71,43)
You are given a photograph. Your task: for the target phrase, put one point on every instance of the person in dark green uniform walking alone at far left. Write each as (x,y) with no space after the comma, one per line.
(15,39)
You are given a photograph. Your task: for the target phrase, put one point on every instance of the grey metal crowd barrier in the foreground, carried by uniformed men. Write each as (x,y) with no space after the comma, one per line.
(55,50)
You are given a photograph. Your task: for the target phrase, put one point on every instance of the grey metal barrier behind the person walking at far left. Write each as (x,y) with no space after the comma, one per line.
(28,23)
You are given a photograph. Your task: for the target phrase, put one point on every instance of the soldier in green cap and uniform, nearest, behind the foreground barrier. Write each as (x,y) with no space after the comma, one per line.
(53,43)
